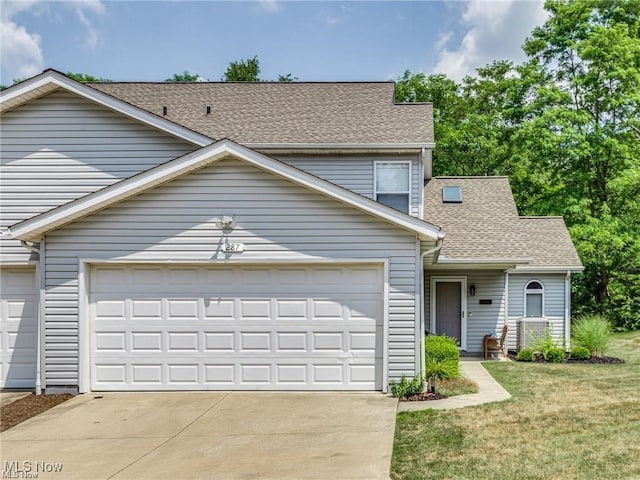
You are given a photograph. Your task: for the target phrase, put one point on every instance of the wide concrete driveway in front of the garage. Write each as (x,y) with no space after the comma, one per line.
(218,435)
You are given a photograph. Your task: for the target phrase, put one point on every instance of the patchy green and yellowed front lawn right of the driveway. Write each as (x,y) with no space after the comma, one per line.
(565,421)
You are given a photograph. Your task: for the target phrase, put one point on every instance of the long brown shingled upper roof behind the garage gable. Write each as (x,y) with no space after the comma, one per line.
(284,113)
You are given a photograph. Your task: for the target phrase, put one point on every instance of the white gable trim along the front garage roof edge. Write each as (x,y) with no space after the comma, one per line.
(137,184)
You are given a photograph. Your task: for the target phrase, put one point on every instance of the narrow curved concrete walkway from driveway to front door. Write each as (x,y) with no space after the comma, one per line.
(488,391)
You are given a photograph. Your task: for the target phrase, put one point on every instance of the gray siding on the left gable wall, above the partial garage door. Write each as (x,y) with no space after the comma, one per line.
(60,147)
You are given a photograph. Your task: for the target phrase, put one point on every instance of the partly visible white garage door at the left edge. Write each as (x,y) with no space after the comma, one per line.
(18,328)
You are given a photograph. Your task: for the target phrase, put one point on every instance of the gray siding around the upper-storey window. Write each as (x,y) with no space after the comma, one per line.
(356,172)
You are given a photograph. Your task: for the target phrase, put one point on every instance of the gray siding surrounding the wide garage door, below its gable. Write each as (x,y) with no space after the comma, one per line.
(275,220)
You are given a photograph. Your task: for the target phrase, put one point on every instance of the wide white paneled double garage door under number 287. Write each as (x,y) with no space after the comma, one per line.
(251,327)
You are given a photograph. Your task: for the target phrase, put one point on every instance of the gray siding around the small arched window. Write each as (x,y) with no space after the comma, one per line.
(554,298)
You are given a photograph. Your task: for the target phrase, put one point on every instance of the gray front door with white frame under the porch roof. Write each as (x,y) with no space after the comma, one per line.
(448,308)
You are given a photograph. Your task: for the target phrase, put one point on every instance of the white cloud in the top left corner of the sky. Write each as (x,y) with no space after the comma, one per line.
(20,51)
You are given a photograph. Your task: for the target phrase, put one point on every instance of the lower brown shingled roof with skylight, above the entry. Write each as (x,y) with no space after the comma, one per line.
(486,225)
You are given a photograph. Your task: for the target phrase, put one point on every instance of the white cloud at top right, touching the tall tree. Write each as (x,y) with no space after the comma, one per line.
(494,30)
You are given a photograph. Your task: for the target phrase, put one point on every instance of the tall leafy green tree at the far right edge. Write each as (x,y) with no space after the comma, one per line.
(587,105)
